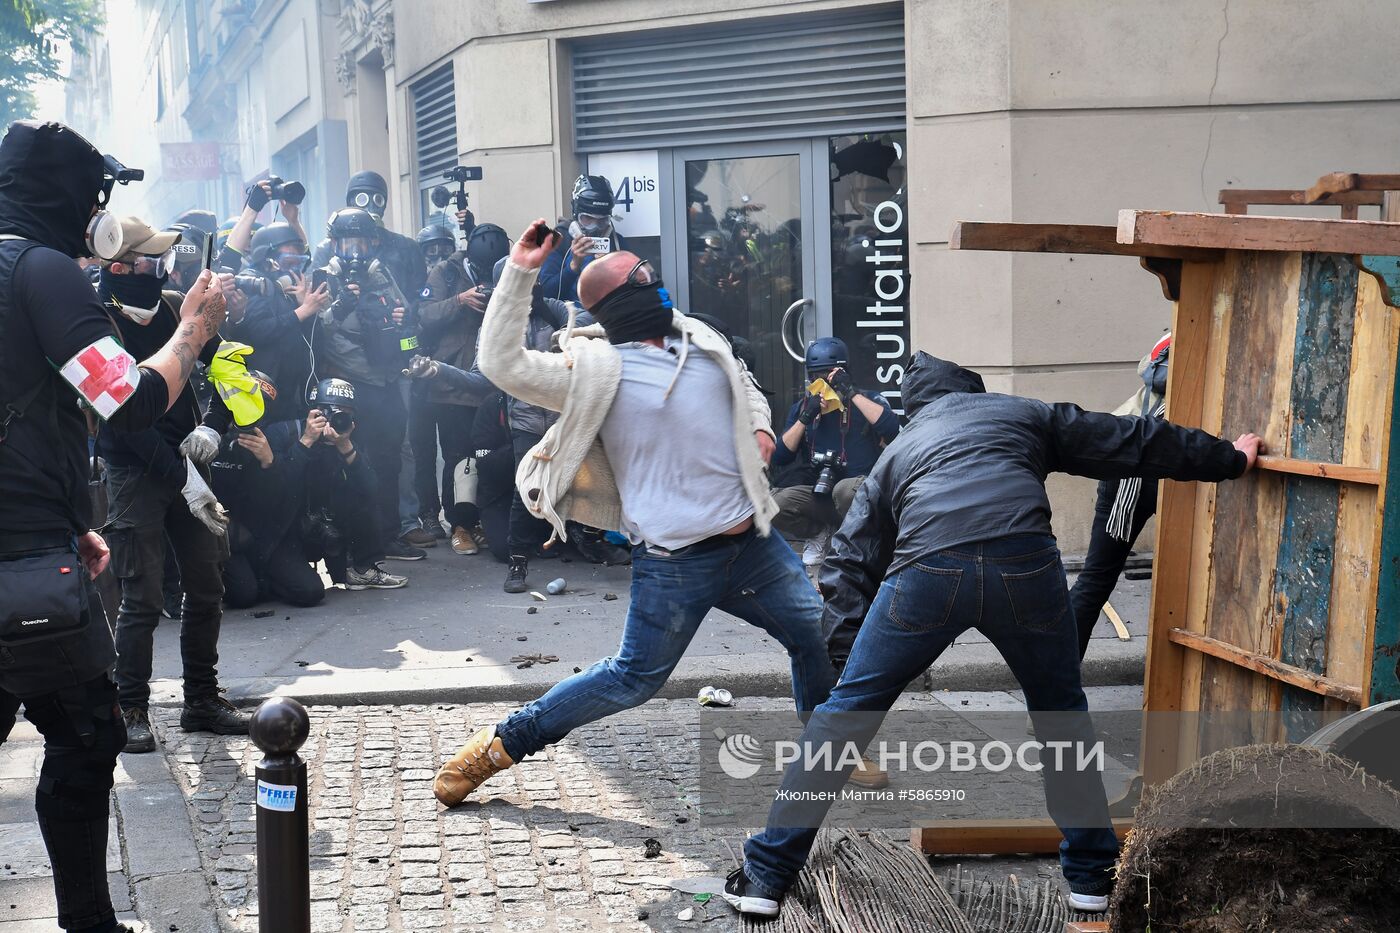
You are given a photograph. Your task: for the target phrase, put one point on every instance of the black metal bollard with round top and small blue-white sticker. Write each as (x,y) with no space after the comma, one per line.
(279,729)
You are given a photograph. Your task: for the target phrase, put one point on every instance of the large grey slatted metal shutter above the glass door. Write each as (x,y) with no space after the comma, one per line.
(778,79)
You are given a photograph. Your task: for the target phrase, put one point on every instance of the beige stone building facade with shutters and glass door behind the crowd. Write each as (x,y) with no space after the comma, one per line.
(796,166)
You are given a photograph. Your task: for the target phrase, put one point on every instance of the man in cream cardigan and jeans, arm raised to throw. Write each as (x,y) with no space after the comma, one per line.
(664,436)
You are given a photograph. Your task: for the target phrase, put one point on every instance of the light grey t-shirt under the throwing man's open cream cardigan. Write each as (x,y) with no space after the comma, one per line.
(674,459)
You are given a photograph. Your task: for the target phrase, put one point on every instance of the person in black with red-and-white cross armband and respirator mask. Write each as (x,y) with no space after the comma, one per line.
(58,347)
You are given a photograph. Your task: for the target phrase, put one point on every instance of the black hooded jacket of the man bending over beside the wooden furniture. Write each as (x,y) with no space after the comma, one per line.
(971,467)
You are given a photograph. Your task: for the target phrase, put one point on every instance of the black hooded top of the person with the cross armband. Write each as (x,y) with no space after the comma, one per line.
(50,183)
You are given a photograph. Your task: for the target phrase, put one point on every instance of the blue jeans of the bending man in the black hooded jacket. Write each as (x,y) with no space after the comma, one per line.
(1011,590)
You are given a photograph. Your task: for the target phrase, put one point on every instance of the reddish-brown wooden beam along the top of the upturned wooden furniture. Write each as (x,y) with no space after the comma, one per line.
(1248,232)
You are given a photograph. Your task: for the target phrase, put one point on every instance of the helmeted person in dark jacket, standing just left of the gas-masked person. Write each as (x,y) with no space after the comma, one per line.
(281,317)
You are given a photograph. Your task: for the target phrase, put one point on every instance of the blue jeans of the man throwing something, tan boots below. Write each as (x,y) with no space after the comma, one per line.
(758,579)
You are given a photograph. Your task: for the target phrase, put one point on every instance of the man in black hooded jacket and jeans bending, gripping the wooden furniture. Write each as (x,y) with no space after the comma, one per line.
(951,530)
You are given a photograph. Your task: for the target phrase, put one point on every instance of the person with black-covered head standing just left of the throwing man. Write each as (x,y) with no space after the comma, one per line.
(451,316)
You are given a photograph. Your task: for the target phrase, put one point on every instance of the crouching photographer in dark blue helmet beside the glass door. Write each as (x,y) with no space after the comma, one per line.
(835,434)
